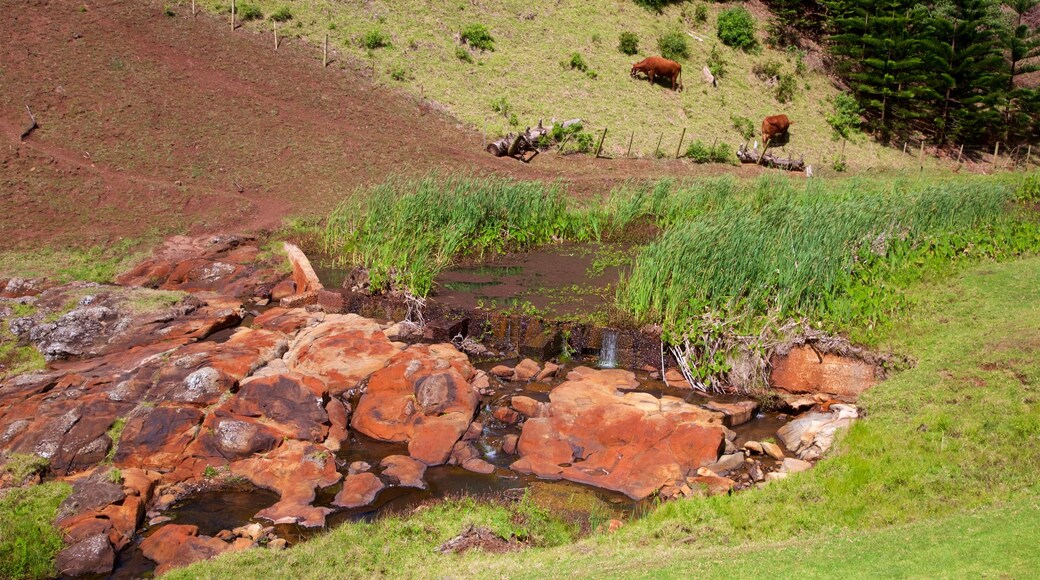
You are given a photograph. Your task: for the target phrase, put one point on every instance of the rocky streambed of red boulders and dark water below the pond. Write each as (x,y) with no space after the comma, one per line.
(188,384)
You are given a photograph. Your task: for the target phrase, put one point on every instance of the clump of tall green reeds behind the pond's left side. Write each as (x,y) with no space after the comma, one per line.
(406,231)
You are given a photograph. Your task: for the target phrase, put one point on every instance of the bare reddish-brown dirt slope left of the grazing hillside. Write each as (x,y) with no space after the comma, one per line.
(152,124)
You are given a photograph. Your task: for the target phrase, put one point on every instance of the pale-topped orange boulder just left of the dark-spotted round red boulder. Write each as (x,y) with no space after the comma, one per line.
(343,351)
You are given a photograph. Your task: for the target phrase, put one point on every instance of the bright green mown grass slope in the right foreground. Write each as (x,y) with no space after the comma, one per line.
(940,481)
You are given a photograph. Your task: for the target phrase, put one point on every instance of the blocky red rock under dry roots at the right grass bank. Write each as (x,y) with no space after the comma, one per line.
(803,371)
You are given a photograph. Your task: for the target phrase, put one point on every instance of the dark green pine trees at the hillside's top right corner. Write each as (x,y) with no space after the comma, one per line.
(953,71)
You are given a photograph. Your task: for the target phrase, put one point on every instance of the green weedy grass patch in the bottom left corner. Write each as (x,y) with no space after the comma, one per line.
(29,539)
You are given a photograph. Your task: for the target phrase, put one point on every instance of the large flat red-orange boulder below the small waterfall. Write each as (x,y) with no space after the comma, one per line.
(632,443)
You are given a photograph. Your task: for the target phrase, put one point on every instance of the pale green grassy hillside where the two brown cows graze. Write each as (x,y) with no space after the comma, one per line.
(530,69)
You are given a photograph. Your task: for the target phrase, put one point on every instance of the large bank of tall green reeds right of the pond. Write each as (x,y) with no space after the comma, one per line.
(824,251)
